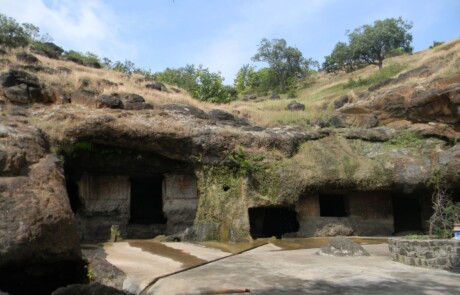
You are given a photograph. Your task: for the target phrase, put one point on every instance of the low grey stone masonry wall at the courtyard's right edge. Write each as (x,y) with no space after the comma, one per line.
(441,254)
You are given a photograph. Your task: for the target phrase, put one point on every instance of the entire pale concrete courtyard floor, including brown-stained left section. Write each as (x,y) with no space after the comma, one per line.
(269,269)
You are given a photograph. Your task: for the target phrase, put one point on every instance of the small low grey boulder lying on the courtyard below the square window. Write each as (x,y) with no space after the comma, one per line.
(341,246)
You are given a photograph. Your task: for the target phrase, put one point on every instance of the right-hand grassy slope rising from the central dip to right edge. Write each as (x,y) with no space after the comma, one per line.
(318,96)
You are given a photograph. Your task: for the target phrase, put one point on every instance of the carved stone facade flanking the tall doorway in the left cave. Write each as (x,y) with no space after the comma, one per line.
(105,201)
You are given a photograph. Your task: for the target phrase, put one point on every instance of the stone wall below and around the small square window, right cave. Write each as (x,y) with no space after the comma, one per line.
(368,214)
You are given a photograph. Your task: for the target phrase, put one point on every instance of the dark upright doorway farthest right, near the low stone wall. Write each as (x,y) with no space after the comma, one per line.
(406,212)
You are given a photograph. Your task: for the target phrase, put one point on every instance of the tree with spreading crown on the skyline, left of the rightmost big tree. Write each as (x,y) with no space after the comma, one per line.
(286,62)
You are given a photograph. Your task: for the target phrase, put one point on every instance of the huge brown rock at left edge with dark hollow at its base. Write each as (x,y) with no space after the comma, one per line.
(38,242)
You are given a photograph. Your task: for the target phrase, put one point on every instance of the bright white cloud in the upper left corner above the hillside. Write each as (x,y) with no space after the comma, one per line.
(84,25)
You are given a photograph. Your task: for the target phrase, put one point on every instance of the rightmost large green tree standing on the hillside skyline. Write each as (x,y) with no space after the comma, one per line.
(370,44)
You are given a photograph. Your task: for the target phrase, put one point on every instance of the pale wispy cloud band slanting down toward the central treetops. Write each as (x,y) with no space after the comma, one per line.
(260,19)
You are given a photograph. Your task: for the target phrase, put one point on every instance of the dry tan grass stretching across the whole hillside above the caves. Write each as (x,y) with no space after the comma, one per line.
(317,97)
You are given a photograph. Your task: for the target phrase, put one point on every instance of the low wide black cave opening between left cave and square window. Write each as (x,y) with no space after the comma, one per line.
(272,221)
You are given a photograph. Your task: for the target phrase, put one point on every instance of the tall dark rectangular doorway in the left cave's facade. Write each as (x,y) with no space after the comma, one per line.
(147,201)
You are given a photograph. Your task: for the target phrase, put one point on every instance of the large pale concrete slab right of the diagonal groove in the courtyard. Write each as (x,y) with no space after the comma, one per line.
(303,272)
